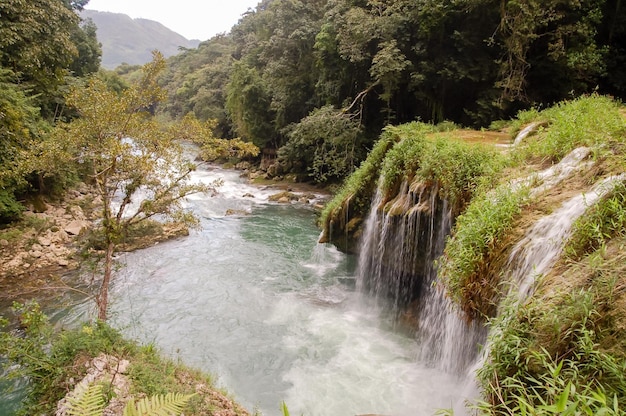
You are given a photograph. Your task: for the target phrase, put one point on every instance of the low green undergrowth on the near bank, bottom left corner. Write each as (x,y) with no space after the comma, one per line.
(53,360)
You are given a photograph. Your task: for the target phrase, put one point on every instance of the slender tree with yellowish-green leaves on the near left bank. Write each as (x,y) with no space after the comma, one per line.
(138,170)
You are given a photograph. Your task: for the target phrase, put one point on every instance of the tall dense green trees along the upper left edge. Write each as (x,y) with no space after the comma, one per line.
(44,48)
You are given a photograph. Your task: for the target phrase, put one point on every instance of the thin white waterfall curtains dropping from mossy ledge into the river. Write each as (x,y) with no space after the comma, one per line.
(401,241)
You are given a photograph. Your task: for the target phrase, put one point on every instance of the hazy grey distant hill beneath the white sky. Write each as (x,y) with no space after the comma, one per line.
(131,41)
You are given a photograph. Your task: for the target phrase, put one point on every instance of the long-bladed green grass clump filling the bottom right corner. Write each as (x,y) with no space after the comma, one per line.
(550,356)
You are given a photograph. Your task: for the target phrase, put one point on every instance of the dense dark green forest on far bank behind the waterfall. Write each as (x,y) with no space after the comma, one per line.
(365,64)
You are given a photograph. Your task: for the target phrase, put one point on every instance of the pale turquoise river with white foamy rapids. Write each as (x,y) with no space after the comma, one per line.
(255,300)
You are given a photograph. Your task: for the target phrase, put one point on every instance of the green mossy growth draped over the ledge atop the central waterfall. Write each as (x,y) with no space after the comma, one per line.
(405,153)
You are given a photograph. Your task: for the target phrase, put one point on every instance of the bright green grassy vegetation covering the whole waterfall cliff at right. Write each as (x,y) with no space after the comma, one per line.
(561,351)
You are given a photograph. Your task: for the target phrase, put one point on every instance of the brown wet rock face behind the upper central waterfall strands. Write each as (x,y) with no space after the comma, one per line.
(402,238)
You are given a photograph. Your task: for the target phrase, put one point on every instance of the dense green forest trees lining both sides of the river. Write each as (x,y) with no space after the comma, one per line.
(312,83)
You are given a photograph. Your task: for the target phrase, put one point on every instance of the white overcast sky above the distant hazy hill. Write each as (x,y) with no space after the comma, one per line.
(194,19)
